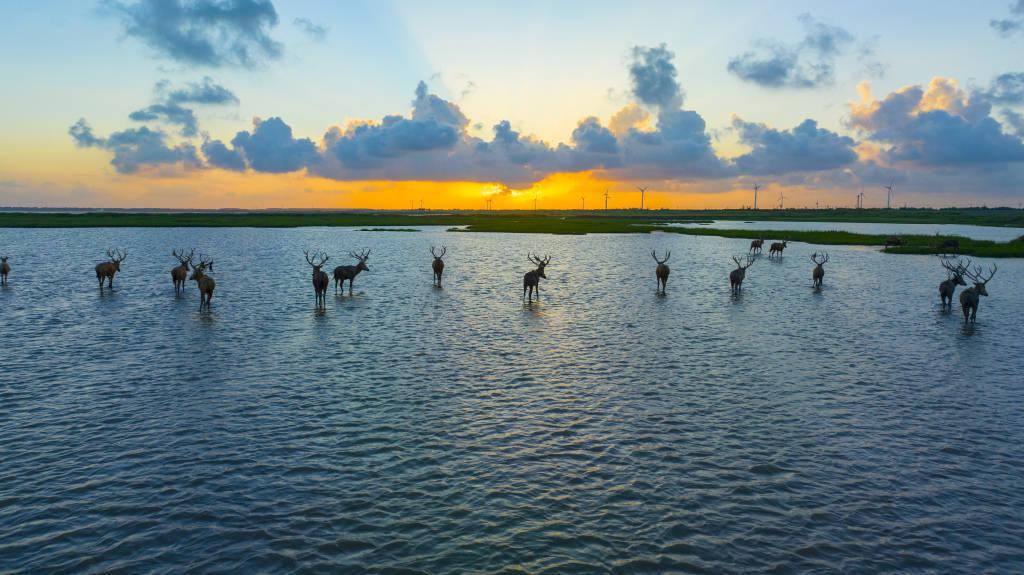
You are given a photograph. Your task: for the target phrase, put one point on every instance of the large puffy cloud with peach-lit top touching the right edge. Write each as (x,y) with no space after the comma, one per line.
(938,126)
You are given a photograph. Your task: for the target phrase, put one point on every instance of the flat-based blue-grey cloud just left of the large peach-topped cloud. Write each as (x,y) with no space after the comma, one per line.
(804,149)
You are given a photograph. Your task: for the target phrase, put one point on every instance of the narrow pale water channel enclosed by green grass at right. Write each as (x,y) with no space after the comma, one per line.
(974,233)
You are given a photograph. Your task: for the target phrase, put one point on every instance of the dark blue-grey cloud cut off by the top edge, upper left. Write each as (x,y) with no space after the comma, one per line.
(210,33)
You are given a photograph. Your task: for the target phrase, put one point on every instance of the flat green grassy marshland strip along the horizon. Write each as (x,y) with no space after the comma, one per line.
(570,223)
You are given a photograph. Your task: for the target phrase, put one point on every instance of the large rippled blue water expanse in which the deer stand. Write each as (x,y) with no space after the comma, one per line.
(414,430)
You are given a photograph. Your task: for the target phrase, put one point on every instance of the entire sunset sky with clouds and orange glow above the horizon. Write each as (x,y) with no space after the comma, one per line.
(273,104)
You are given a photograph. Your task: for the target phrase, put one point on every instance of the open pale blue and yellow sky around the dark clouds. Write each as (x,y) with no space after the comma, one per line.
(543,67)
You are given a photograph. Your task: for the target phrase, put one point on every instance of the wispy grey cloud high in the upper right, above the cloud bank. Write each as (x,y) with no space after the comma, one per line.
(808,64)
